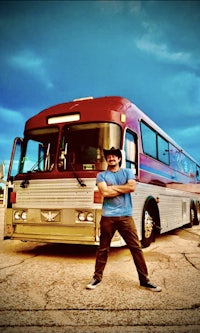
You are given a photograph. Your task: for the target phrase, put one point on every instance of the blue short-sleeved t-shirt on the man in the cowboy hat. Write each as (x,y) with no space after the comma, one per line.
(120,205)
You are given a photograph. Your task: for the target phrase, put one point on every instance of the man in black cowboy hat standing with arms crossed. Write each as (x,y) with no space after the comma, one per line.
(116,184)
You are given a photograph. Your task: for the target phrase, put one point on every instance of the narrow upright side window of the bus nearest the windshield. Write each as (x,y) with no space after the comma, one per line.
(130,147)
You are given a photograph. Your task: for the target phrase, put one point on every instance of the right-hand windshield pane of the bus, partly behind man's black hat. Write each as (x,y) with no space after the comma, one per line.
(82,145)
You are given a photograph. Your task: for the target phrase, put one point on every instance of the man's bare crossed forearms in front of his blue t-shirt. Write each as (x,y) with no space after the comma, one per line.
(110,191)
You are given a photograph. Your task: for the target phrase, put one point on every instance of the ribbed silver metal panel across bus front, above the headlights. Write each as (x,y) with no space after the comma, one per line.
(55,193)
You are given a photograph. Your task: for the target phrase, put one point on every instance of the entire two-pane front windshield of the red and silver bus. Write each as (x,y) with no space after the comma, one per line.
(80,148)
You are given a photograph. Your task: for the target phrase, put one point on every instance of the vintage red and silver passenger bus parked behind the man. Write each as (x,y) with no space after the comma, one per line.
(51,183)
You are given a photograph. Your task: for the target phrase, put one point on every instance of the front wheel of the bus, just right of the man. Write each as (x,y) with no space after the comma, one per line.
(150,222)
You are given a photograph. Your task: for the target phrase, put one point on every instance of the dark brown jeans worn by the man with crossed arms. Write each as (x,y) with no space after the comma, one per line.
(126,227)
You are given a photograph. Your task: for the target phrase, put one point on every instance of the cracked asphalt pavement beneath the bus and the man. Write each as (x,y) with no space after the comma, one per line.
(42,288)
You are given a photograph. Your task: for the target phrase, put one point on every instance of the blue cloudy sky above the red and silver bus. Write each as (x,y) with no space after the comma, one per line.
(146,51)
